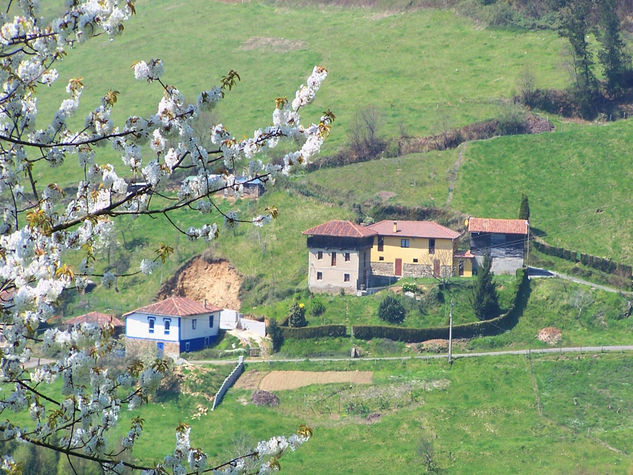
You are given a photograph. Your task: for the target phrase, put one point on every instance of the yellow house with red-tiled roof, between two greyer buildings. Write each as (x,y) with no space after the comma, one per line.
(416,249)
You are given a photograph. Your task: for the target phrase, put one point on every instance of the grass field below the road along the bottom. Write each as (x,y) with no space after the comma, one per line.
(501,415)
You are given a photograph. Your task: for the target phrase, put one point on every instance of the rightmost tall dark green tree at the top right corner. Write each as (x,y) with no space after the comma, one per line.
(613,57)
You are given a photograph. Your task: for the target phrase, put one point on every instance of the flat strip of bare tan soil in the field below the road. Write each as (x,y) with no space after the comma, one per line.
(278,380)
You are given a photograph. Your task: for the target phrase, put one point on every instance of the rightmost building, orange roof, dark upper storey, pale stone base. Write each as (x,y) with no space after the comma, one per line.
(504,240)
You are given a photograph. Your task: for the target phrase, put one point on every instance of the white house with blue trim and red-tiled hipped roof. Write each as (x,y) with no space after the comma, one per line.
(170,327)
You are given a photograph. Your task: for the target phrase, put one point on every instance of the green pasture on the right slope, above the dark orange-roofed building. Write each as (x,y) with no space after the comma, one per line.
(577,181)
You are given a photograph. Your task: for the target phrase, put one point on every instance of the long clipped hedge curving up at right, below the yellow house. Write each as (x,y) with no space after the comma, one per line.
(468,330)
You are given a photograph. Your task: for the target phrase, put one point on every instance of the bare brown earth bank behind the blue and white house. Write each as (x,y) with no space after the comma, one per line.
(203,278)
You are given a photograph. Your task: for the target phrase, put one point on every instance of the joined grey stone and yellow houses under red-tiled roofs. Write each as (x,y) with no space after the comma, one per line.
(351,257)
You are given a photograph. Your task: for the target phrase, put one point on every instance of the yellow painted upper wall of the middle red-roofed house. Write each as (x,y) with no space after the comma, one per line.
(418,249)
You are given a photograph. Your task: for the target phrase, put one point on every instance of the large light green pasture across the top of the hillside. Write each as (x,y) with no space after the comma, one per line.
(425,70)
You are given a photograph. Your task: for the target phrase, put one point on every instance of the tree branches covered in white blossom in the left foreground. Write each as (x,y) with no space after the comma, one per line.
(39,226)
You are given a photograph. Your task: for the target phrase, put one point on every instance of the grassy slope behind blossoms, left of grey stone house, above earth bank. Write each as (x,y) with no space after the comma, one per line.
(274,256)
